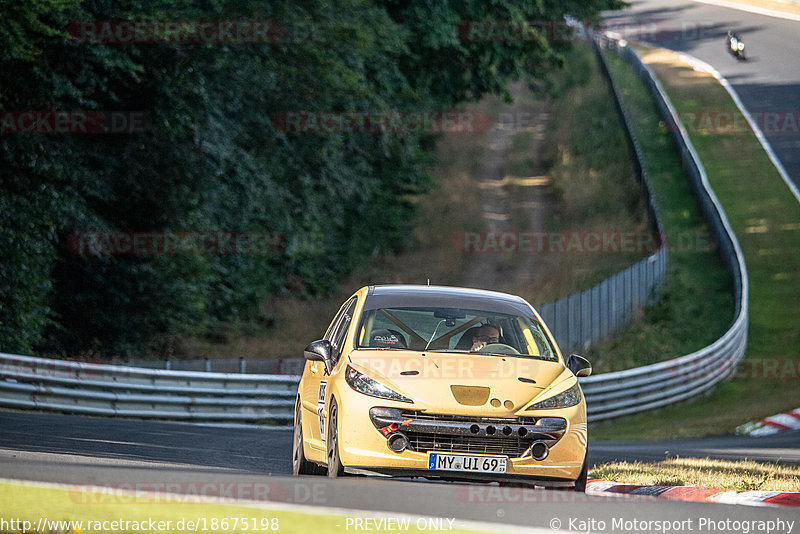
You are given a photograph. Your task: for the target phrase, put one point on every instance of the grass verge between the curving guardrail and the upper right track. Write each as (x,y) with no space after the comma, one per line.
(764,216)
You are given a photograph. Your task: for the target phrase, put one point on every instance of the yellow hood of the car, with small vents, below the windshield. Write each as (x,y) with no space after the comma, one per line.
(458,383)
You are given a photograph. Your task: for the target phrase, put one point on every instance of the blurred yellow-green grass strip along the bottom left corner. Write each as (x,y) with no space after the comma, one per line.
(120,511)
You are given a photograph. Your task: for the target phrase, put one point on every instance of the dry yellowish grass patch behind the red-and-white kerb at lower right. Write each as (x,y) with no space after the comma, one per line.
(742,475)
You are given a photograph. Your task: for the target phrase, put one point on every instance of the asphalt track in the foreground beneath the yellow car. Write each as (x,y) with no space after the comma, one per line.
(253,462)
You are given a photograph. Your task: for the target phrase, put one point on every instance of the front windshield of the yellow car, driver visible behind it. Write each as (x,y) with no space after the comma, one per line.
(454,330)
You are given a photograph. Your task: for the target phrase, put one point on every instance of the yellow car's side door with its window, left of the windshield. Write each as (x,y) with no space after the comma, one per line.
(316,381)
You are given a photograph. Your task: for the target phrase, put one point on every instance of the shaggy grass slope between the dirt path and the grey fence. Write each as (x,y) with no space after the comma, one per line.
(587,159)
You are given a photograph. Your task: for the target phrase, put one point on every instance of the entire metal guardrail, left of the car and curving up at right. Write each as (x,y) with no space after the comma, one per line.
(113,390)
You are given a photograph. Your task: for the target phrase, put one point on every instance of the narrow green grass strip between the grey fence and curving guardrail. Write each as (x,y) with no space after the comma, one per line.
(696,305)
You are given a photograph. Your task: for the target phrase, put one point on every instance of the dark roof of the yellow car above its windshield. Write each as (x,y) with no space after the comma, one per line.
(388,296)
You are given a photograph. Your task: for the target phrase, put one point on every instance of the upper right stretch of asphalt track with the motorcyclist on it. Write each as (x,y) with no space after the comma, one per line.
(768,82)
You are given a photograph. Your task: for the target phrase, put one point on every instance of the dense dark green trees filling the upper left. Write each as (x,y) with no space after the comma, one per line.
(211,158)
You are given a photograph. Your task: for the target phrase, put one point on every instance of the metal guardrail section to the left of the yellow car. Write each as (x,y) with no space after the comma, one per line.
(112,390)
